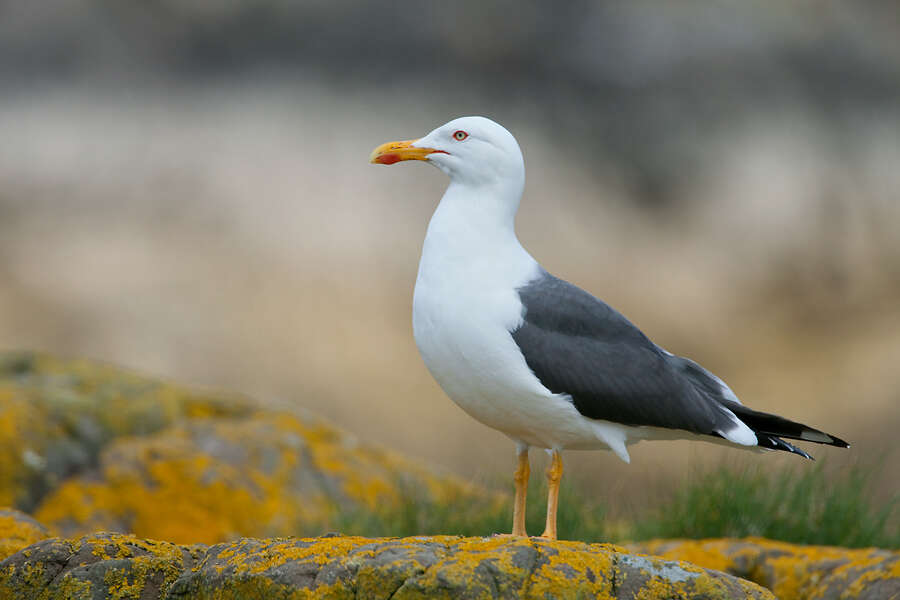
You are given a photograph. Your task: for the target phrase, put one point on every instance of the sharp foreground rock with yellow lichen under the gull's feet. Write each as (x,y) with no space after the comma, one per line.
(120,566)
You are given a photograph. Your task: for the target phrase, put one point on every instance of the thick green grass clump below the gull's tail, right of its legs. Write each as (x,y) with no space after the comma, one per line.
(801,504)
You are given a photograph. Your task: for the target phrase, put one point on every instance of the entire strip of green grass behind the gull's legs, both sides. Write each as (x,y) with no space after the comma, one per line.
(801,504)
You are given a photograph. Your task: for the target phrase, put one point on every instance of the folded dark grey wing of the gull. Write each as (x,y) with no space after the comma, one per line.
(578,345)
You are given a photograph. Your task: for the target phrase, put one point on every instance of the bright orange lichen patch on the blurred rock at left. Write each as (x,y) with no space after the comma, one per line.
(174,497)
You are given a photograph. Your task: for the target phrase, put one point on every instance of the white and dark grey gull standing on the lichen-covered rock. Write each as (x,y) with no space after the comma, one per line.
(535,357)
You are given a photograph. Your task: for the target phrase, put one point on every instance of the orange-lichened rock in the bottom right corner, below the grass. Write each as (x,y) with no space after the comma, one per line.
(791,571)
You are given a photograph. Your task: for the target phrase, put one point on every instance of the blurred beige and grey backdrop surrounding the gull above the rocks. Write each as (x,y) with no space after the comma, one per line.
(184,190)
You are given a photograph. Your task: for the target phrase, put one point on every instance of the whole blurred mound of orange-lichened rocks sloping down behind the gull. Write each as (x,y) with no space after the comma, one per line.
(89,447)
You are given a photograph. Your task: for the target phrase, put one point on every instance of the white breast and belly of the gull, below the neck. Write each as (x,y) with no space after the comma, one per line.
(464,307)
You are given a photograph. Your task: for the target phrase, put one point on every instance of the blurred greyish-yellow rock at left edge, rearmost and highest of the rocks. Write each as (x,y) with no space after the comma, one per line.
(57,415)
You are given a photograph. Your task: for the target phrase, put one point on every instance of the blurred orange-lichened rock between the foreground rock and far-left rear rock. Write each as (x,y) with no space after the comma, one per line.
(210,480)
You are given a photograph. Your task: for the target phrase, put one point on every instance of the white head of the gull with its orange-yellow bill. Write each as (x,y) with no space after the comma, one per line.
(471,150)
